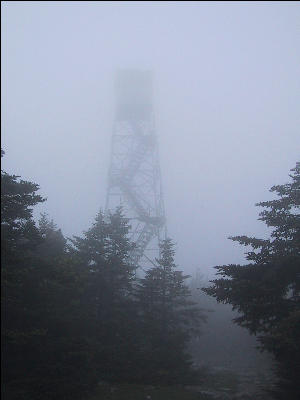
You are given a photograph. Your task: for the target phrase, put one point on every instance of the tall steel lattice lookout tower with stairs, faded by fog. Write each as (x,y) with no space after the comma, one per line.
(134,179)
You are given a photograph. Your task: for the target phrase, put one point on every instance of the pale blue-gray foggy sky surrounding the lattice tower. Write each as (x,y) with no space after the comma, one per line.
(227,109)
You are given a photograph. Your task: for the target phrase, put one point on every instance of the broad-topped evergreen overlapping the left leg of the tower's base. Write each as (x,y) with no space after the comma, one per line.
(104,252)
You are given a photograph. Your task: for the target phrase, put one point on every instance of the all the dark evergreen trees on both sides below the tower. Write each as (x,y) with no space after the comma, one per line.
(75,312)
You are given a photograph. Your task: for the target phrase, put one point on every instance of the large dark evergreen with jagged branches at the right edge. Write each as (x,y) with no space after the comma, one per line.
(266,291)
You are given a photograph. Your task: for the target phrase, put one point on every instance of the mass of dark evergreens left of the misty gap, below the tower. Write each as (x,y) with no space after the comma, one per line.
(75,313)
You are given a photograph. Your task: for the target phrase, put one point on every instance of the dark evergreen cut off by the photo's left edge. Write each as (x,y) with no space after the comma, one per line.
(19,239)
